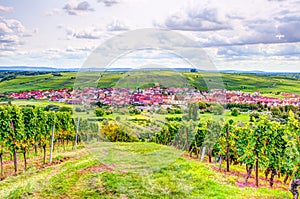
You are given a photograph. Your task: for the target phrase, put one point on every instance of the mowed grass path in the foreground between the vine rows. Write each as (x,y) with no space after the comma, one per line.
(129,170)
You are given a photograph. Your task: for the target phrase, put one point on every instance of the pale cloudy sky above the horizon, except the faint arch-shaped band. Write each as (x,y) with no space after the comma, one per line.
(236,35)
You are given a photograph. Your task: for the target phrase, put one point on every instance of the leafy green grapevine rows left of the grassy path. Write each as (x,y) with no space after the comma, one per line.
(27,129)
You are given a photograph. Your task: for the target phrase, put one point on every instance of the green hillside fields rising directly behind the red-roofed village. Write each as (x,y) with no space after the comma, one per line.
(267,84)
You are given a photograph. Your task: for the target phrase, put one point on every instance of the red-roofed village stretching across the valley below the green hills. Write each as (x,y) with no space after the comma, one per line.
(154,96)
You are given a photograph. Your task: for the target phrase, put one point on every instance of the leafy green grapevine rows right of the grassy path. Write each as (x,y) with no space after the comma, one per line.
(263,145)
